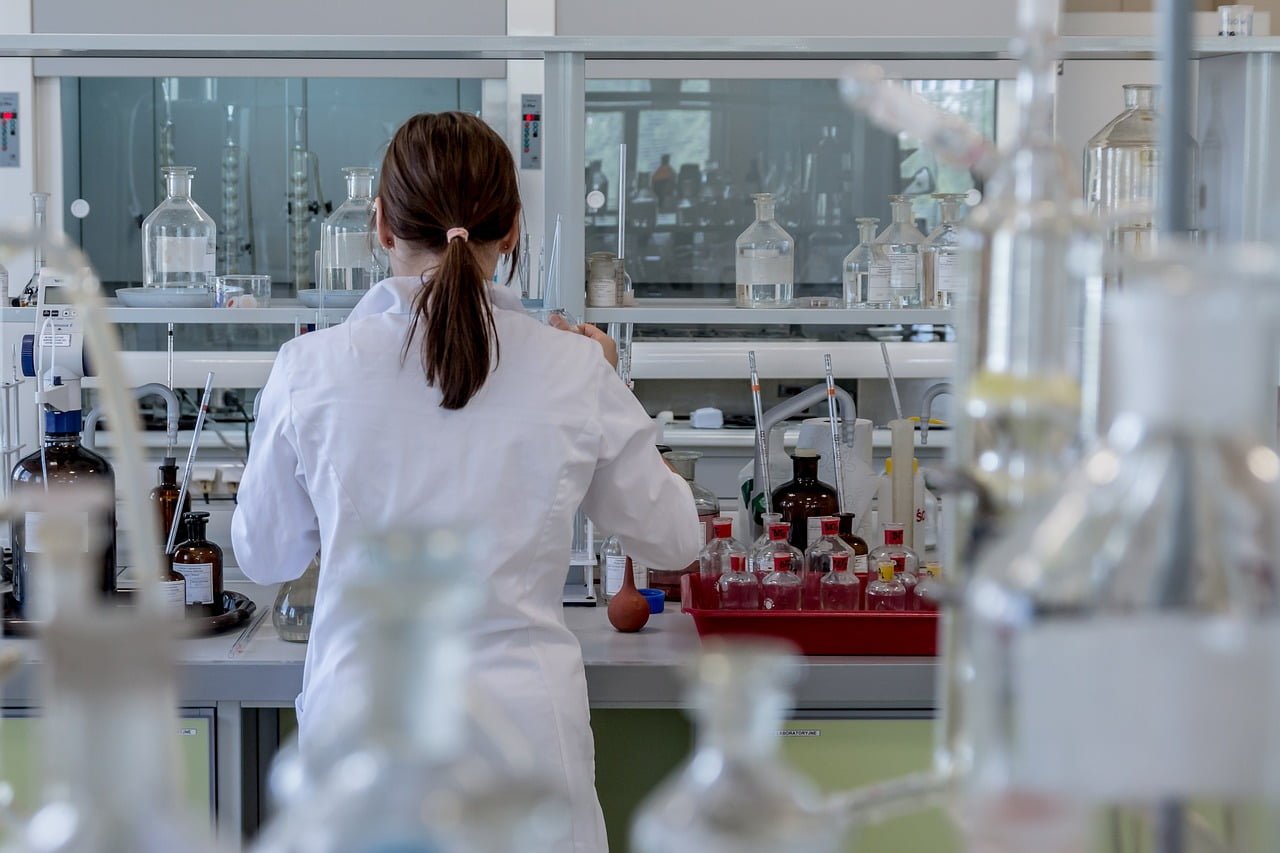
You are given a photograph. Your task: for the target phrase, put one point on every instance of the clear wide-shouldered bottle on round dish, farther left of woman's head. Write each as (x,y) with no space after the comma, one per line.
(180,240)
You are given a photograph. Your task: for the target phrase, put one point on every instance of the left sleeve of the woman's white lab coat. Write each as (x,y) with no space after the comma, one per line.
(275,532)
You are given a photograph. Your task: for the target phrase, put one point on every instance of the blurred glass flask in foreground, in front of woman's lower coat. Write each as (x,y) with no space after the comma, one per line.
(397,768)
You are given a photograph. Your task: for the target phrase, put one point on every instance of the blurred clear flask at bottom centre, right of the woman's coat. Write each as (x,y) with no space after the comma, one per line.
(735,795)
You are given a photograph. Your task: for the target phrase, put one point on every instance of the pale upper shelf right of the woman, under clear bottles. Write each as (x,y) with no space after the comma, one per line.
(692,312)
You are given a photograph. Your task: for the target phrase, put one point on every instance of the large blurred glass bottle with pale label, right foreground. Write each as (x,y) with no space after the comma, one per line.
(1151,578)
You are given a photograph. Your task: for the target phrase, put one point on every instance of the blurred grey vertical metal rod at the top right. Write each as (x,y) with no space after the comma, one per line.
(1174,42)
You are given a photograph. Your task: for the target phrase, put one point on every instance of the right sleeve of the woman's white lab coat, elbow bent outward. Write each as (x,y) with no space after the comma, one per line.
(634,495)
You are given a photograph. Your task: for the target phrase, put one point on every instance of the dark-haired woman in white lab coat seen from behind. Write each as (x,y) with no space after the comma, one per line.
(441,403)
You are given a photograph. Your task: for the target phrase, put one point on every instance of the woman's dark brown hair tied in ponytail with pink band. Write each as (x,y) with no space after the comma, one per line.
(442,172)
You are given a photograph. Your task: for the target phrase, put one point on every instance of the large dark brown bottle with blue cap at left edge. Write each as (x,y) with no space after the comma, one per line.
(67,463)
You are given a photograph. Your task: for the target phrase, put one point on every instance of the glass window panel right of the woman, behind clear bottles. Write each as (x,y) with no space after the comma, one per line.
(700,149)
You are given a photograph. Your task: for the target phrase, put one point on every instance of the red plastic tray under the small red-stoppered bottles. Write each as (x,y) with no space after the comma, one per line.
(816,632)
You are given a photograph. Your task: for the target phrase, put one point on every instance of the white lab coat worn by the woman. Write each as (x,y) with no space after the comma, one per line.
(349,439)
